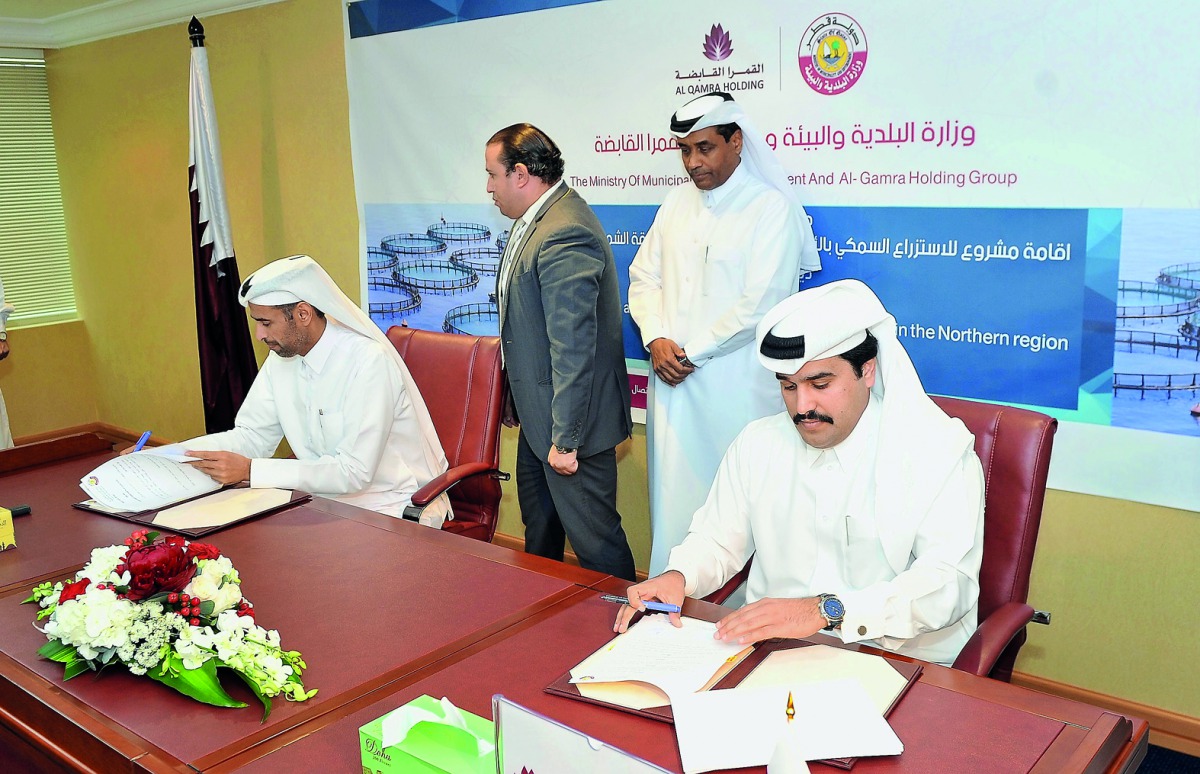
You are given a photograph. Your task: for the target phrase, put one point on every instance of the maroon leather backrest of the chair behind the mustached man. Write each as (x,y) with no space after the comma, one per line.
(1015,448)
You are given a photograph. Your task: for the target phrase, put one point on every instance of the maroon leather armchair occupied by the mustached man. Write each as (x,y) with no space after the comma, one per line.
(1015,449)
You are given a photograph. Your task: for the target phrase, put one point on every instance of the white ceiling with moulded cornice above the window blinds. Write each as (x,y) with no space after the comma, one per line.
(62,23)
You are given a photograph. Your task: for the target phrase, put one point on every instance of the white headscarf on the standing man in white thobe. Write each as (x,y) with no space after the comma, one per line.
(719,109)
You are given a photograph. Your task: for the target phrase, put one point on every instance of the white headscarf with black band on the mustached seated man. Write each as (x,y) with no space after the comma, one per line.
(919,443)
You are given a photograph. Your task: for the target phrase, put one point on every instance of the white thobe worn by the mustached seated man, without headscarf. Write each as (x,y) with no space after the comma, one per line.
(809,519)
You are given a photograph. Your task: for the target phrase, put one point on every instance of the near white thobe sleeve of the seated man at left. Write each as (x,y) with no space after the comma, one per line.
(373,394)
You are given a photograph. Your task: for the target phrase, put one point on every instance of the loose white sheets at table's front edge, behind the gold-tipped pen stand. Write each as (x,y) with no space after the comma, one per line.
(737,728)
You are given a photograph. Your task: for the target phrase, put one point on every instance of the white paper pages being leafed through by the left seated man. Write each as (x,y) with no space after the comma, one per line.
(141,482)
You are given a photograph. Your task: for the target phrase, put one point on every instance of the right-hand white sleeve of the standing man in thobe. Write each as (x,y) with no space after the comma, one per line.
(772,274)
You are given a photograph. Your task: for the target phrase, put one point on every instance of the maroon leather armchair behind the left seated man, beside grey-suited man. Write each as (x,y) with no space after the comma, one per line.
(463,383)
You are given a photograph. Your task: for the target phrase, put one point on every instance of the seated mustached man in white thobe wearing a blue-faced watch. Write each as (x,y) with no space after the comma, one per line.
(862,503)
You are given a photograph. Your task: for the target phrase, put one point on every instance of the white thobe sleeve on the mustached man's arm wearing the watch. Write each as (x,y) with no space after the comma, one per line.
(943,583)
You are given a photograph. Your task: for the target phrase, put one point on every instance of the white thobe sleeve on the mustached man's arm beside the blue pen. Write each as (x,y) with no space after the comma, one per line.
(719,542)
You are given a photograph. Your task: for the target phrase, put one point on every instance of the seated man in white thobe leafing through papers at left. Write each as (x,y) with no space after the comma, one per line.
(338,391)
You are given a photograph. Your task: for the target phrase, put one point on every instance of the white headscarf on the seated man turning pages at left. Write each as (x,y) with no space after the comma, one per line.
(301,279)
